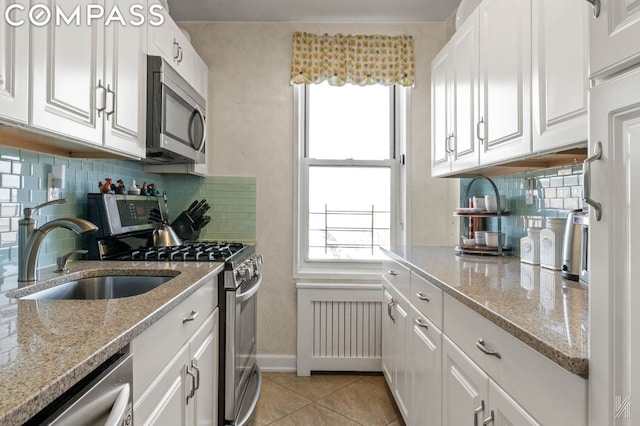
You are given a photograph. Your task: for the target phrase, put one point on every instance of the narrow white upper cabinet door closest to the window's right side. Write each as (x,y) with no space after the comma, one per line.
(440,113)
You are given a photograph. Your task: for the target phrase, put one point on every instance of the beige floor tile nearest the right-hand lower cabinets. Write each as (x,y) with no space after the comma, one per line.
(367,403)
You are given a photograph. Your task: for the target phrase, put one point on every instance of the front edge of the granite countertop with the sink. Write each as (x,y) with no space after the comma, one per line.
(21,413)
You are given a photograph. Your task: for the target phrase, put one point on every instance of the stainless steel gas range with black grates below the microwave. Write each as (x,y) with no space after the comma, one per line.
(124,234)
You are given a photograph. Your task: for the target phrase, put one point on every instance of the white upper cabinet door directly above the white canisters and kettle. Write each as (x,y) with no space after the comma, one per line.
(560,73)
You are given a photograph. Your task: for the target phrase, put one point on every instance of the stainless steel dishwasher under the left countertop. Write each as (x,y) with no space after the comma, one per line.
(103,398)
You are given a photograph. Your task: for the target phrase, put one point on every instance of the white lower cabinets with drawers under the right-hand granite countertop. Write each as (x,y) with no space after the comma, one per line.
(447,365)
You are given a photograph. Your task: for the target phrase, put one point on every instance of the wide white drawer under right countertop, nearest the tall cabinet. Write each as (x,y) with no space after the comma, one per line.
(544,389)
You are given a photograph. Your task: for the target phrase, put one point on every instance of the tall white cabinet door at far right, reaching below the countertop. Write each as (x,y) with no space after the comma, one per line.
(614,367)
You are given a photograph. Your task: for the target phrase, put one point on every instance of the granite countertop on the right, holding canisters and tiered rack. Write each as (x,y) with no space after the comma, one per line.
(535,305)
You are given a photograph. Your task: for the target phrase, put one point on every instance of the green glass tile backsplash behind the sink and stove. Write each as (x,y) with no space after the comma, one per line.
(23,183)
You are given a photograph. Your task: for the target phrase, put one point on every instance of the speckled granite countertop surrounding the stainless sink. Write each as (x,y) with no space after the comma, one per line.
(46,346)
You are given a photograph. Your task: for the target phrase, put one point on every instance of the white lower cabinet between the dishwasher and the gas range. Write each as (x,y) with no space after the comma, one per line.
(175,365)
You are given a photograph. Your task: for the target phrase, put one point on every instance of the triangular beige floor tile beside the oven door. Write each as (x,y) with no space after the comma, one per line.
(276,402)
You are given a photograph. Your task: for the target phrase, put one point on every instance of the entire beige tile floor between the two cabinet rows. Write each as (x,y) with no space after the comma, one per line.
(325,400)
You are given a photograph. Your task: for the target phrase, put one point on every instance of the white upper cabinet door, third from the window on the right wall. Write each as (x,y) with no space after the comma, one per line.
(505,79)
